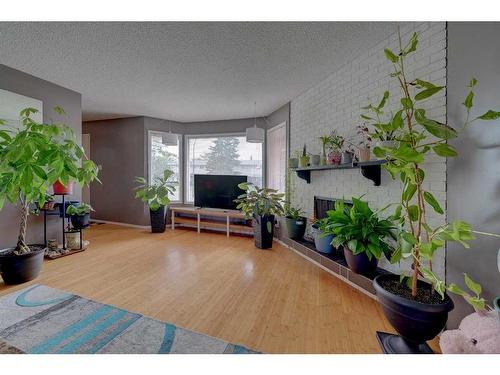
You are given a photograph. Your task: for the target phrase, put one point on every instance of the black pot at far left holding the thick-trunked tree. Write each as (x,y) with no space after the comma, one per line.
(17,269)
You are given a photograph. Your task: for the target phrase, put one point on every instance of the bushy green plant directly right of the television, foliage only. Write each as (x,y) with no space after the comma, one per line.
(259,201)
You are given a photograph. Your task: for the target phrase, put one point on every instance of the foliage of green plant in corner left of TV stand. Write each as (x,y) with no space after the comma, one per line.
(155,195)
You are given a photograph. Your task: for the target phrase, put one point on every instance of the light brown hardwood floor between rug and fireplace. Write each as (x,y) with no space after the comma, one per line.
(273,301)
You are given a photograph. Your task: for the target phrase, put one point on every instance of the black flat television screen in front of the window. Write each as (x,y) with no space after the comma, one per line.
(217,191)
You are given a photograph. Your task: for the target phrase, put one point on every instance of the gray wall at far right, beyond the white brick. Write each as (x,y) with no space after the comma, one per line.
(474,176)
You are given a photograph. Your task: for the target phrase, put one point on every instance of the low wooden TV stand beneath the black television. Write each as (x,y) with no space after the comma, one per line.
(210,219)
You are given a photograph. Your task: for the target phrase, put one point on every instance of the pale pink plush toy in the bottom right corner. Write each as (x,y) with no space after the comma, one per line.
(478,333)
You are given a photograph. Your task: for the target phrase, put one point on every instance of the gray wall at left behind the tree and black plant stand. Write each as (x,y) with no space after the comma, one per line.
(51,95)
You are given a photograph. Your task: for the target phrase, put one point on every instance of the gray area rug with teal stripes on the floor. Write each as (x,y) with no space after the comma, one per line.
(39,319)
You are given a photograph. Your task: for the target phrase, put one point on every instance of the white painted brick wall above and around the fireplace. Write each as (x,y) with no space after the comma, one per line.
(336,103)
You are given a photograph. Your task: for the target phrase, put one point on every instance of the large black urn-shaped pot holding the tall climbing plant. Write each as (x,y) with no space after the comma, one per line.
(416,322)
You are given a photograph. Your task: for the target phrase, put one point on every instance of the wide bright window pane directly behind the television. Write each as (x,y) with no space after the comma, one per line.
(229,155)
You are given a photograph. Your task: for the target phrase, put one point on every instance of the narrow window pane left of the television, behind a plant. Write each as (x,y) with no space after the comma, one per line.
(164,157)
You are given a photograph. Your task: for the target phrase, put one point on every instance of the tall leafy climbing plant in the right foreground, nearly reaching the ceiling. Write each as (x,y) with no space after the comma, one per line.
(418,136)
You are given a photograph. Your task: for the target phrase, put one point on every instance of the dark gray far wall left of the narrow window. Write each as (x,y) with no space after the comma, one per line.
(117,146)
